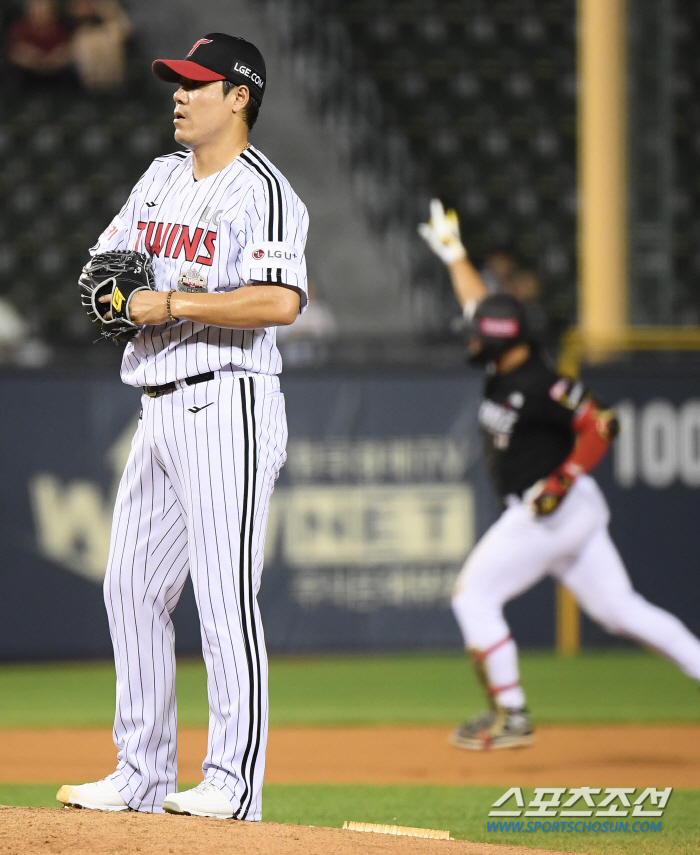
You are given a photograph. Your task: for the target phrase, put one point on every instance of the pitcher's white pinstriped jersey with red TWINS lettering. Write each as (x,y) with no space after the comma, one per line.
(243,224)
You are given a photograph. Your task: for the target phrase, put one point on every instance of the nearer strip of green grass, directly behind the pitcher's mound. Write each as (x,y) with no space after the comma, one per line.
(460,810)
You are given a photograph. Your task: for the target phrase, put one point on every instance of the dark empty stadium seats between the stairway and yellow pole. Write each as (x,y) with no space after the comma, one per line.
(488,86)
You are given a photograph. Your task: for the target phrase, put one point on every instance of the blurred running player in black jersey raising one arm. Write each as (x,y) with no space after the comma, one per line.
(543,434)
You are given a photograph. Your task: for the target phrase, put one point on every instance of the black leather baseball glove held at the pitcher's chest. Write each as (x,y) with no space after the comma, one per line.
(118,274)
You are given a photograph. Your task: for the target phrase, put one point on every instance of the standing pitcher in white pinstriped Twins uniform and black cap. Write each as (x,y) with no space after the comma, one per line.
(225,235)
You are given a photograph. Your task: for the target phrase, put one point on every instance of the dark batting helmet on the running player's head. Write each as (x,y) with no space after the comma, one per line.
(499,323)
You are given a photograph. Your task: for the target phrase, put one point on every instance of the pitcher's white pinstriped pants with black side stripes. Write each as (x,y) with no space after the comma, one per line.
(194,498)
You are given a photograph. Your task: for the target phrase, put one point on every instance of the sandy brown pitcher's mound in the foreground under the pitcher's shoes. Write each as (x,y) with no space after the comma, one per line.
(72,832)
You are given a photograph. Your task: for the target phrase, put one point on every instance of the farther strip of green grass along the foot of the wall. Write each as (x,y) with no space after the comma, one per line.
(609,686)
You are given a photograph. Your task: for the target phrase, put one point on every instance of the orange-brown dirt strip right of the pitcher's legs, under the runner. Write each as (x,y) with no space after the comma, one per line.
(611,756)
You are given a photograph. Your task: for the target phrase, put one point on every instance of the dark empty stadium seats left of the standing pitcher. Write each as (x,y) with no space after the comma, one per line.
(66,166)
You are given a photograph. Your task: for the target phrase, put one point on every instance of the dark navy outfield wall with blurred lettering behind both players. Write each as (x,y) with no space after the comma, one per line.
(382,497)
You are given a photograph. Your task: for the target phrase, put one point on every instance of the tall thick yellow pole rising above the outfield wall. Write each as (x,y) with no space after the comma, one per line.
(602,173)
